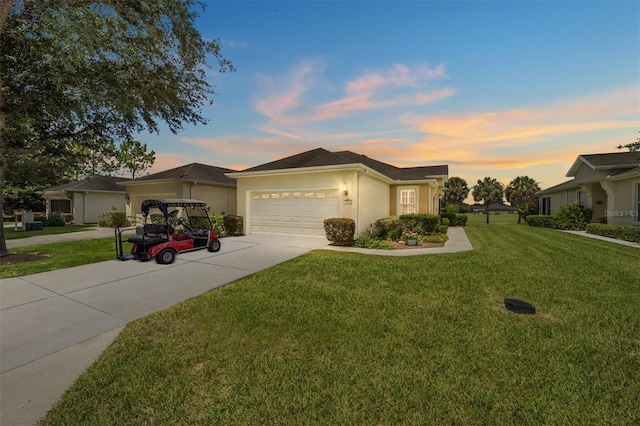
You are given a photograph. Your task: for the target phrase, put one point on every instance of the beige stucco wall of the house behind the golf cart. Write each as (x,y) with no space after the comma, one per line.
(218,198)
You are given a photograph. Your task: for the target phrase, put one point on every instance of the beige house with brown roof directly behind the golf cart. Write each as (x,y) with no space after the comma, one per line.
(195,180)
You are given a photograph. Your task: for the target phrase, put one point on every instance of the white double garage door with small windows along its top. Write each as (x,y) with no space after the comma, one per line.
(292,212)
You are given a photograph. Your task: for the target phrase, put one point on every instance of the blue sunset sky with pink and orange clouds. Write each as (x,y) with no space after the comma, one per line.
(498,89)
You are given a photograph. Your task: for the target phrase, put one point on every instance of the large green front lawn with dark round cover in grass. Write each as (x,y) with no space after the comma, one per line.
(342,338)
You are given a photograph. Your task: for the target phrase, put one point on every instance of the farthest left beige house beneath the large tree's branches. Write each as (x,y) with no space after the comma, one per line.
(87,199)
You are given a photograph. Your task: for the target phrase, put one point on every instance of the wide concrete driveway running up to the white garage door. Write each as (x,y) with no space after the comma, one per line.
(53,325)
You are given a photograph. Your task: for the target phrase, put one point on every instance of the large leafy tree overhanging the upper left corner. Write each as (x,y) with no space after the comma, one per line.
(110,69)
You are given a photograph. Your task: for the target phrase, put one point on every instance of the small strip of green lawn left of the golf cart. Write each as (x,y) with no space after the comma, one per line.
(62,255)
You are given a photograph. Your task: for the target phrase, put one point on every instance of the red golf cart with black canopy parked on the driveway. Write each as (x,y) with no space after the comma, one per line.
(177,226)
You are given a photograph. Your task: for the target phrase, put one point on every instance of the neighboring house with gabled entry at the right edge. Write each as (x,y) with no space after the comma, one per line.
(609,184)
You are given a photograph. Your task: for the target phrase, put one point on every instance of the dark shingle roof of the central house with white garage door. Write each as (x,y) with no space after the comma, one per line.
(321,157)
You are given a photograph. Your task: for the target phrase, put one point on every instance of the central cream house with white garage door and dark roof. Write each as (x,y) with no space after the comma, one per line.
(296,194)
